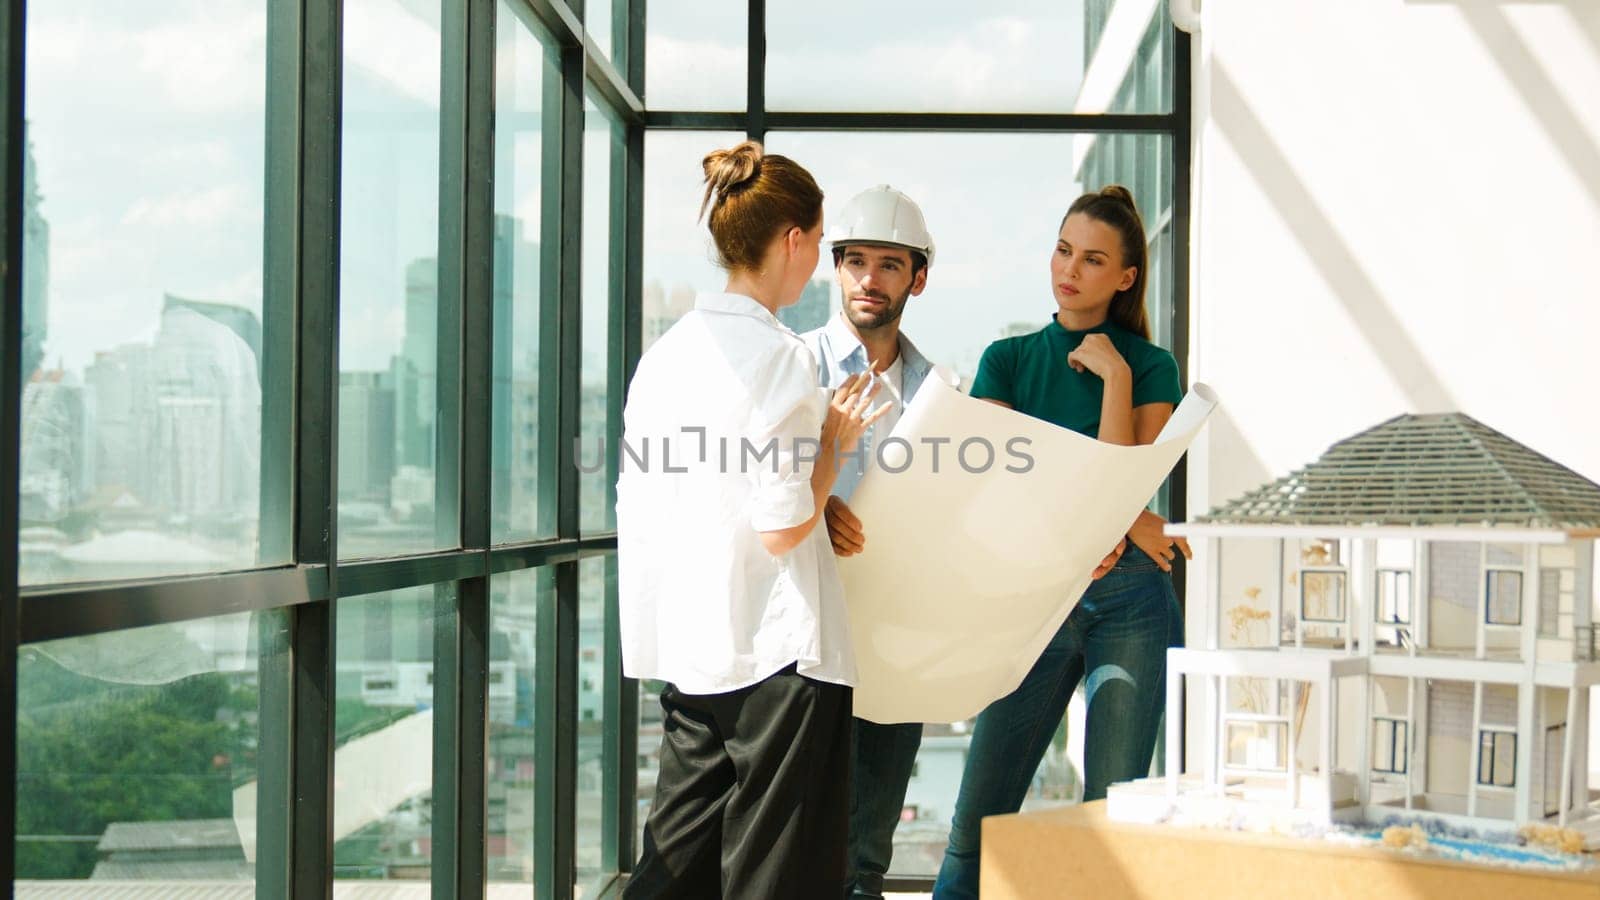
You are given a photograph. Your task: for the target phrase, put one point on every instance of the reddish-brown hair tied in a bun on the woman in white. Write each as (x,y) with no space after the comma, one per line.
(754,198)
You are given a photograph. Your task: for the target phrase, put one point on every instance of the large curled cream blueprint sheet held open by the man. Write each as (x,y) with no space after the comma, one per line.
(983,528)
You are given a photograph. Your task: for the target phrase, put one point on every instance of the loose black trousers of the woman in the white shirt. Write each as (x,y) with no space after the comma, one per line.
(754,795)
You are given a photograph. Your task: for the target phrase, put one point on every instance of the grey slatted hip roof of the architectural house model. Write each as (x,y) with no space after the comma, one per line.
(1441,470)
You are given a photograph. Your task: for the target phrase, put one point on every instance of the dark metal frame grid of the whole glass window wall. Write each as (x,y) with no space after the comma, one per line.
(303,228)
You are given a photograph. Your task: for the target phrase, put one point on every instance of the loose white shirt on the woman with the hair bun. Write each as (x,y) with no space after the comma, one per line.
(721,428)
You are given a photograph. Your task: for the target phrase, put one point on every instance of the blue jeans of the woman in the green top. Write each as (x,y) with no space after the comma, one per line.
(1119,635)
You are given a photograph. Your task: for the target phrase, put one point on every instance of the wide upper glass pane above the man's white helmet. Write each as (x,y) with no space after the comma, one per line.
(1004,57)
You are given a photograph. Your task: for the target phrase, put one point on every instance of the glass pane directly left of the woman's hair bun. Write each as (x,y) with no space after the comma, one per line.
(679,254)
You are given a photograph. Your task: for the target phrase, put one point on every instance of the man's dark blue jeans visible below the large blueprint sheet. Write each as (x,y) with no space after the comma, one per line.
(884,757)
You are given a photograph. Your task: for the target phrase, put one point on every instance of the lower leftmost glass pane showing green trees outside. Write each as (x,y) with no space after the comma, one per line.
(137,753)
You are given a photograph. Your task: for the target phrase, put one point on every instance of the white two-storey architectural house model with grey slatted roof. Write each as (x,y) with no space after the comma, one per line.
(1402,629)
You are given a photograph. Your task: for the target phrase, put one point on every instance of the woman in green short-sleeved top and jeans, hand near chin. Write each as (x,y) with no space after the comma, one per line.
(1095,371)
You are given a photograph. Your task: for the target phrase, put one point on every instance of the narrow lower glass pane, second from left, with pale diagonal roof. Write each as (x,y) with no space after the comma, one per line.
(383,760)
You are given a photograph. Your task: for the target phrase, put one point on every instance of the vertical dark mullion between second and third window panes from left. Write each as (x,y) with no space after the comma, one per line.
(465,465)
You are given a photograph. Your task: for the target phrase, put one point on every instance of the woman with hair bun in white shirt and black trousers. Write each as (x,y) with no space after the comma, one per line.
(727,585)
